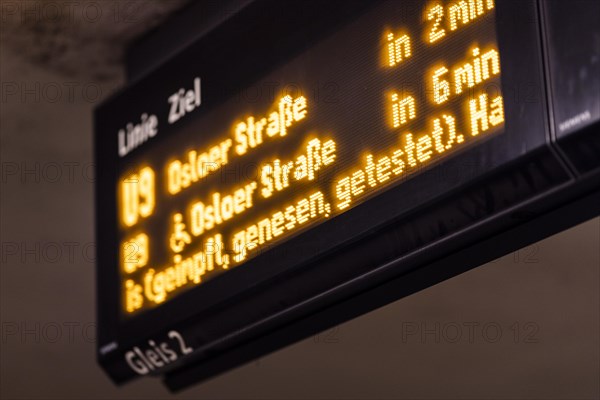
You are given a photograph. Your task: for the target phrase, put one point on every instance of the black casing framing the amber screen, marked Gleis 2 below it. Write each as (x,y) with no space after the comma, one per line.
(500,195)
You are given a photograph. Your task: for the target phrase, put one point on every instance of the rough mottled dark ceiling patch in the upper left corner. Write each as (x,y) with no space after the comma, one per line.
(83,39)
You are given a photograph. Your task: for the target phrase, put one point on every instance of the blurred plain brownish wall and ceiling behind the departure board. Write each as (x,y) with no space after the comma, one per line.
(523,327)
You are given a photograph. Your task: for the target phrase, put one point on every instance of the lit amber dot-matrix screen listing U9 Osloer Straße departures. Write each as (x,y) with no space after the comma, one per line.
(398,89)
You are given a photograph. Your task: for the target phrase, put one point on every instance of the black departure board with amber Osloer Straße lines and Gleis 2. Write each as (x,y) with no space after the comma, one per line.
(301,154)
